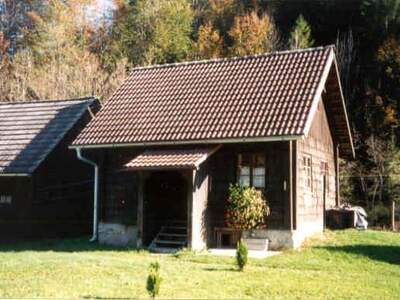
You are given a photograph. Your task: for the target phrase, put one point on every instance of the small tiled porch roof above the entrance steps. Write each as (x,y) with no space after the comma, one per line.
(170,159)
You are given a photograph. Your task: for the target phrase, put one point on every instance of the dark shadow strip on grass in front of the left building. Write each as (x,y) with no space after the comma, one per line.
(60,245)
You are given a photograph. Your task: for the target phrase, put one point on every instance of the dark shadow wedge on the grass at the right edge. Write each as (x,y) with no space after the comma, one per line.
(383,253)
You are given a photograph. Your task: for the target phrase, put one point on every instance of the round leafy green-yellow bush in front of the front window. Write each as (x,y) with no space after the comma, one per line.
(247,208)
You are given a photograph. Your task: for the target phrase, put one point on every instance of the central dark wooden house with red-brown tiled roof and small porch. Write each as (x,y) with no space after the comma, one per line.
(173,138)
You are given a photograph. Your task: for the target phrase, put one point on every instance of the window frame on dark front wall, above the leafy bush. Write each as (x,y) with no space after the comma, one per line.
(252,166)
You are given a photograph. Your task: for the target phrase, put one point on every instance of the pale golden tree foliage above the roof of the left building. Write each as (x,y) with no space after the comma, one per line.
(56,61)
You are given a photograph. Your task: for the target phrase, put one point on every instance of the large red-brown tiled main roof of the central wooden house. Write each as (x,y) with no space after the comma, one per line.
(252,97)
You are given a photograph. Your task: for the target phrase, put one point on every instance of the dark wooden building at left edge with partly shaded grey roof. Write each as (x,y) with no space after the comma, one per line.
(45,191)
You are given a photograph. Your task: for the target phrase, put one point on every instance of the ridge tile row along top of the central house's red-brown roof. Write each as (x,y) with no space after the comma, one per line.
(234,58)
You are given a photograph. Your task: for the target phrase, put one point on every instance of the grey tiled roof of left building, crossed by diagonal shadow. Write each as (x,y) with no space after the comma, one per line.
(29,131)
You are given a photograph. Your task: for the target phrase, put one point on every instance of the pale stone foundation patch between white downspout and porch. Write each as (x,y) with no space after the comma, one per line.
(117,234)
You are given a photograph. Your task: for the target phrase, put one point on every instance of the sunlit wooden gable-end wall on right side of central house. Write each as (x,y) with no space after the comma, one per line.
(319,144)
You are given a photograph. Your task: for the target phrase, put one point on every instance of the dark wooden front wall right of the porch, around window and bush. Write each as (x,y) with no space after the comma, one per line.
(223,172)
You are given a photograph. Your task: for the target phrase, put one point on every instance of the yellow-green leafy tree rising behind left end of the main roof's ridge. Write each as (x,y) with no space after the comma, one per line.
(154,31)
